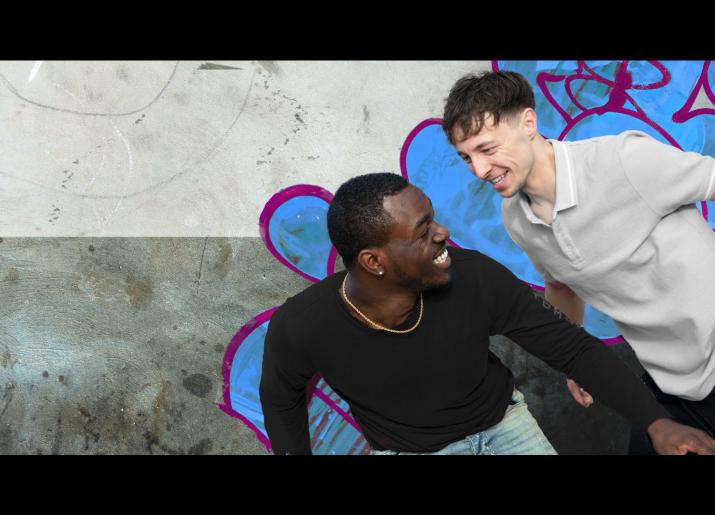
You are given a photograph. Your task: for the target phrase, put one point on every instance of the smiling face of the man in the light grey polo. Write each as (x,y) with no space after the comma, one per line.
(501,154)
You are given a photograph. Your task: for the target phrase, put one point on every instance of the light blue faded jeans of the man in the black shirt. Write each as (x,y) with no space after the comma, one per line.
(517,433)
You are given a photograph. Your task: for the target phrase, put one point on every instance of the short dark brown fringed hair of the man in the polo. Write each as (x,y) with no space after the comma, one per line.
(473,96)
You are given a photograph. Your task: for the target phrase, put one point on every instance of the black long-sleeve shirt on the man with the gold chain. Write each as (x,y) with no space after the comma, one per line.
(422,390)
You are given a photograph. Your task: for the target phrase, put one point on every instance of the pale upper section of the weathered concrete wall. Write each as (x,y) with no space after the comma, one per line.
(196,148)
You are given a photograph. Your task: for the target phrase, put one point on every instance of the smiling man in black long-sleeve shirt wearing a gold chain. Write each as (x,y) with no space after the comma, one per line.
(403,337)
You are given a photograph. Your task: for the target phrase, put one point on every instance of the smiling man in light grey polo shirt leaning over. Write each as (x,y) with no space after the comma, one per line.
(610,221)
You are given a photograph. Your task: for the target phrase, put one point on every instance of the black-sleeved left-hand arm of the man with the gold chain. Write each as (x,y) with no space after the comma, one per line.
(284,377)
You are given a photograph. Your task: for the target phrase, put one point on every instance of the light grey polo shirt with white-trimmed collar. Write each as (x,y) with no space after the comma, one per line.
(628,239)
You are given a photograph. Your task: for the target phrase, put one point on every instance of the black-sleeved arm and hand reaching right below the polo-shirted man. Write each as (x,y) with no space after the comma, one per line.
(532,323)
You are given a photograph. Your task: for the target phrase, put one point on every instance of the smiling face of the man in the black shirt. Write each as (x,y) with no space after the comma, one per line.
(416,250)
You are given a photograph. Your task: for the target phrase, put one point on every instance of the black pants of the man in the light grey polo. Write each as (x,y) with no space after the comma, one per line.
(699,414)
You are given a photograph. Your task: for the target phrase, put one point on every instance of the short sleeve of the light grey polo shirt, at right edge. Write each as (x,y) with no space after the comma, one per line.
(665,176)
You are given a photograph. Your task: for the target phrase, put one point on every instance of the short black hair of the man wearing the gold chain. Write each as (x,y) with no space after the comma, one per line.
(356,217)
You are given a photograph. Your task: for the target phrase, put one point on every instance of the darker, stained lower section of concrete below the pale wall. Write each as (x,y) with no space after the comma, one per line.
(114,346)
